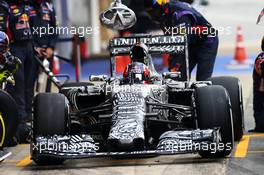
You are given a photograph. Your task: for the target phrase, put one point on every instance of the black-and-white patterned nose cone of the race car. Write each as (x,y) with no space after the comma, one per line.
(127,131)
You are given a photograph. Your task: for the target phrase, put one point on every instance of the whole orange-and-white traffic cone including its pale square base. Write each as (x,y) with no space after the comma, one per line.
(240,60)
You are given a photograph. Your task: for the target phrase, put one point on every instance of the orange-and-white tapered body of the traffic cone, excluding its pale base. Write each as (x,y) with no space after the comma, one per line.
(240,54)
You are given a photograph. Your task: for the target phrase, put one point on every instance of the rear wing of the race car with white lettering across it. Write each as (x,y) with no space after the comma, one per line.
(159,44)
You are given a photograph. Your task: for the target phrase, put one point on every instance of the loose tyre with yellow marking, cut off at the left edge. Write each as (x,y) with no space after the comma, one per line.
(9,113)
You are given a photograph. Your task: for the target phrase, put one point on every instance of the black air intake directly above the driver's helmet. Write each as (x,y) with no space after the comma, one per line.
(139,53)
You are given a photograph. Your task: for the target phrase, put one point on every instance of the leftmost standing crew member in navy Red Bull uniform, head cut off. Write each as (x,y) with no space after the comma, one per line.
(16,25)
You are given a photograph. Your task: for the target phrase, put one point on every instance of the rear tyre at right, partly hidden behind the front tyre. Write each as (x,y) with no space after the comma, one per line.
(234,89)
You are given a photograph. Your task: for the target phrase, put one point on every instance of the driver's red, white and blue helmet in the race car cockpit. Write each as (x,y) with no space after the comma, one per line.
(137,73)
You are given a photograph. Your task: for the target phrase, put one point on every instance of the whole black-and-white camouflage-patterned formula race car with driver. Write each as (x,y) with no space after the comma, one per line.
(140,114)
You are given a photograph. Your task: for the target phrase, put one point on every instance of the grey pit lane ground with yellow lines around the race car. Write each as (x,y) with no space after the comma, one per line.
(247,158)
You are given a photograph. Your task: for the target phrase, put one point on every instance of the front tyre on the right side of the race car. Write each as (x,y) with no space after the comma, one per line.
(214,111)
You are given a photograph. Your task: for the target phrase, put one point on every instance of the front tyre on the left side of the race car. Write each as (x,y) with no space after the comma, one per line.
(51,117)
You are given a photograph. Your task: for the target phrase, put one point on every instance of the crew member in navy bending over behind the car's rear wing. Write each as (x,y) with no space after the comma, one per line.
(177,17)
